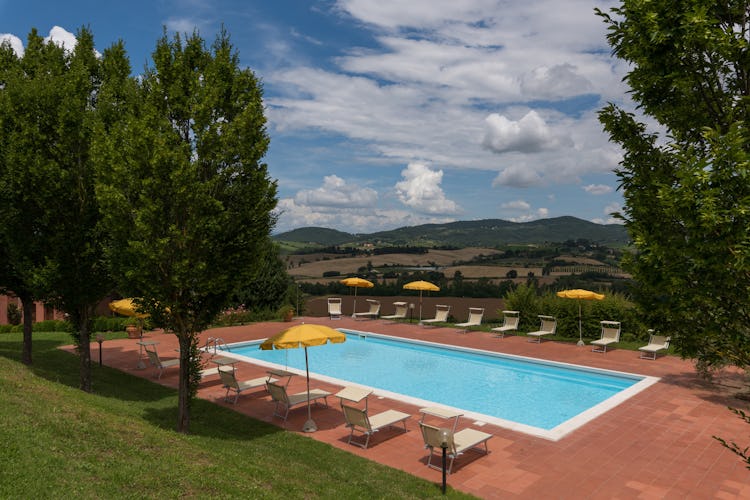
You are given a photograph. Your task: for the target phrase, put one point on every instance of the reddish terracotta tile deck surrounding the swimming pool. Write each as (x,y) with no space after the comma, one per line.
(657,444)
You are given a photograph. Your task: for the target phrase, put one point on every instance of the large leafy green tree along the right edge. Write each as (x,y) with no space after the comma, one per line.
(687,202)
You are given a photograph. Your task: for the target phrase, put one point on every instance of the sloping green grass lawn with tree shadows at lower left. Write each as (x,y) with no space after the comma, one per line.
(57,441)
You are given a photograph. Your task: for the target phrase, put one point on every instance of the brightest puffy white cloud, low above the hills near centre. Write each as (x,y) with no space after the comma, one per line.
(421,190)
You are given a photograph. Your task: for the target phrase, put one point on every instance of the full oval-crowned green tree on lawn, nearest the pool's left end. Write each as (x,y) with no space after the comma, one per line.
(186,197)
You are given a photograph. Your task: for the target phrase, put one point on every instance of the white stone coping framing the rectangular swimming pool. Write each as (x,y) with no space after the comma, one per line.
(555,434)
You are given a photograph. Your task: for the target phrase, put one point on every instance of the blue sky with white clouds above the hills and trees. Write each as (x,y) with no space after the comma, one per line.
(388,113)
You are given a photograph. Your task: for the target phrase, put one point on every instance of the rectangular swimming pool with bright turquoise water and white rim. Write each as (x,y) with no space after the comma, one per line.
(538,397)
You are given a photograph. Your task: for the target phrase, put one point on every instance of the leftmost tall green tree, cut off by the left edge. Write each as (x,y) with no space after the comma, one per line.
(22,246)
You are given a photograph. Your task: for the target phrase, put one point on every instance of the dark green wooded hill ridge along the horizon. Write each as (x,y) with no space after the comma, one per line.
(486,232)
